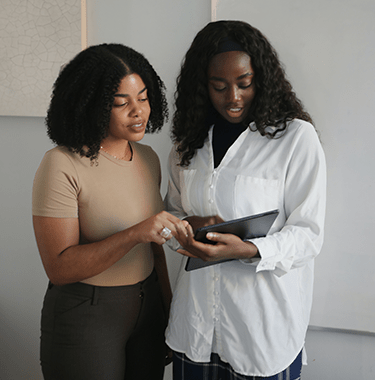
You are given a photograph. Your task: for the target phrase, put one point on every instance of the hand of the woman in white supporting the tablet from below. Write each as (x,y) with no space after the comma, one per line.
(227,246)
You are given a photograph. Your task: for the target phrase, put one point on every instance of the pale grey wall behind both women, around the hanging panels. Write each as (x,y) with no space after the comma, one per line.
(171,26)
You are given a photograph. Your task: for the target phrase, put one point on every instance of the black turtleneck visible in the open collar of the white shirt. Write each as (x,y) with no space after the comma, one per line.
(224,135)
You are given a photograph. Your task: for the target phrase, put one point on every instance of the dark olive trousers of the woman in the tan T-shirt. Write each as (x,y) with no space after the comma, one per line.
(103,333)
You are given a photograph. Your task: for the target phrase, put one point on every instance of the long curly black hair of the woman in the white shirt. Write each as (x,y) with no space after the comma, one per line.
(275,103)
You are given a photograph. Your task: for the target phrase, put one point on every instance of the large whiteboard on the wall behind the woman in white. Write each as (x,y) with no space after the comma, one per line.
(328,49)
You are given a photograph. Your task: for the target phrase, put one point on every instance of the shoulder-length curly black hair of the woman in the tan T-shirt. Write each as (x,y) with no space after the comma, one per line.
(83,95)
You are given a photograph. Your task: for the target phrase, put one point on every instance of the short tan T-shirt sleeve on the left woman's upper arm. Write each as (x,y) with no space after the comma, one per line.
(55,188)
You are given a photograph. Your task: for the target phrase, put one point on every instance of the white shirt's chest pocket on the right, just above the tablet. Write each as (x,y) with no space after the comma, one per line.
(256,195)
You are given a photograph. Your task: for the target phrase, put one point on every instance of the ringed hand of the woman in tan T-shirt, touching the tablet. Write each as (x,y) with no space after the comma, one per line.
(150,229)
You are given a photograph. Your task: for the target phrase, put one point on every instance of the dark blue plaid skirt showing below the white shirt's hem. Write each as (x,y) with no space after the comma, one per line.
(216,369)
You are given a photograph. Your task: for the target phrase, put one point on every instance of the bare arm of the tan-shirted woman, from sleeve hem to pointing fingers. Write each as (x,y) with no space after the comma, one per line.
(66,260)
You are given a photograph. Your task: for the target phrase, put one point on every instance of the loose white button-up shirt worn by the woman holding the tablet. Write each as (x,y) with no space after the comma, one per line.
(258,309)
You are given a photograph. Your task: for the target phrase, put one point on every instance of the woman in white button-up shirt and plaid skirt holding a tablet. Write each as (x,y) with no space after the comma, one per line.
(243,145)
